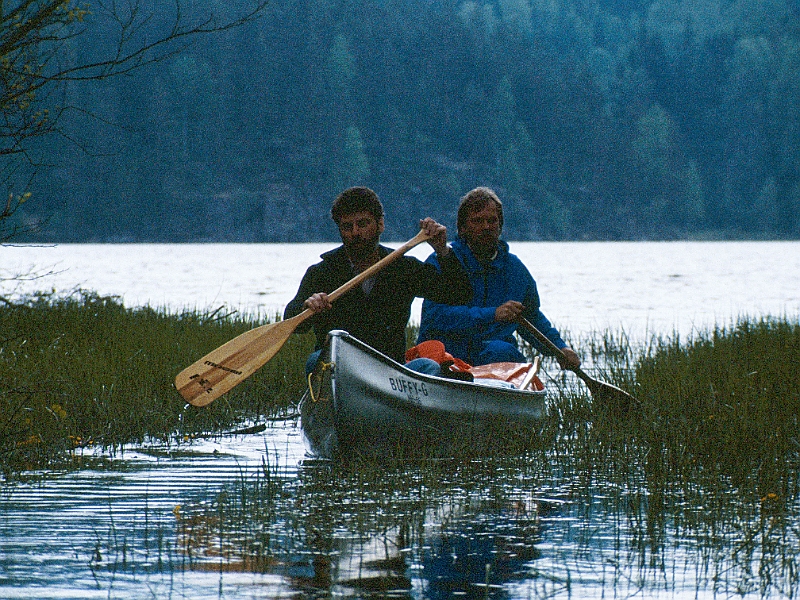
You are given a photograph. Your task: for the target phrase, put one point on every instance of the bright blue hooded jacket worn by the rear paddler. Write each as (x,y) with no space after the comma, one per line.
(464,329)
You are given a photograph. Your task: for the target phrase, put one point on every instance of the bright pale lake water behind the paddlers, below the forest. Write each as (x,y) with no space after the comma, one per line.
(637,287)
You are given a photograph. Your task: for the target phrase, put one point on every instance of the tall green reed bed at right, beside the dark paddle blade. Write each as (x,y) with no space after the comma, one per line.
(717,414)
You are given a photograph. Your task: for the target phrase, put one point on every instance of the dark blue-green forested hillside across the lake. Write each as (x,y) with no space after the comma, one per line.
(592,119)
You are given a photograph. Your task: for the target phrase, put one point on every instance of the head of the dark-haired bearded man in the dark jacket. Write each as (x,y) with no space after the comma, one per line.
(358,213)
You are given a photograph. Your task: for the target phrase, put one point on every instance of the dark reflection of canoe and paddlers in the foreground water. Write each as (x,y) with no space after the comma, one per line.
(416,530)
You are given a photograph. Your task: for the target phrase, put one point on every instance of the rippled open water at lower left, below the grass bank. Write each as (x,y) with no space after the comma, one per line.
(111,528)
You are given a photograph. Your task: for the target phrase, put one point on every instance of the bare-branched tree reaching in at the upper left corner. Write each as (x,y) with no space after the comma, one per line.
(51,50)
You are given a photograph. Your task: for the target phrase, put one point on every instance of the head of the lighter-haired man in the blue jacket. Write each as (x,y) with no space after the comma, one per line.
(480,221)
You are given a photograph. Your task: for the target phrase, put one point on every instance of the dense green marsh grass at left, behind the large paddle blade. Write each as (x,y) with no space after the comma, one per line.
(85,370)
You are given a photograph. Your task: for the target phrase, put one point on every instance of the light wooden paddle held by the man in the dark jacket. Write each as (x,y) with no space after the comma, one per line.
(233,362)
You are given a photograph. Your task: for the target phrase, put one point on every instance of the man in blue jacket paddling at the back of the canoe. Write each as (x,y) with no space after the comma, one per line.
(482,332)
